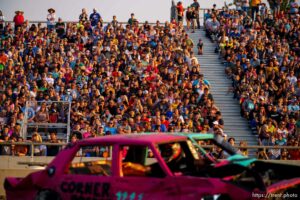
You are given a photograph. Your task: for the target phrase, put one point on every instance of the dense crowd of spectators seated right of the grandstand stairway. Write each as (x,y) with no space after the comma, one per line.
(261,55)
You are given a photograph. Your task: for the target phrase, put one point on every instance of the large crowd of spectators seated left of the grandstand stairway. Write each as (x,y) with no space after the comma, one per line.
(120,78)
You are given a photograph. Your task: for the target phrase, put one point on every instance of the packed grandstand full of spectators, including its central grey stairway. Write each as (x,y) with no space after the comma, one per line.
(89,78)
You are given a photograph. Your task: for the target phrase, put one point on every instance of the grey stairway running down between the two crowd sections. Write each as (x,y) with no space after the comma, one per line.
(213,70)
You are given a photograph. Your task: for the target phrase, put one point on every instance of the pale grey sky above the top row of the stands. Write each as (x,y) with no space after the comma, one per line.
(69,10)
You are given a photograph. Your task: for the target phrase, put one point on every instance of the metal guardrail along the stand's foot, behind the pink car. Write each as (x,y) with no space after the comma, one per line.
(61,145)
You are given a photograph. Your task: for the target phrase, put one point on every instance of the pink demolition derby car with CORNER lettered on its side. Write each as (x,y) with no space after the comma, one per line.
(131,167)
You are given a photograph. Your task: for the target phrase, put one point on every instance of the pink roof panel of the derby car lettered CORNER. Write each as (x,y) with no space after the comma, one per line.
(137,139)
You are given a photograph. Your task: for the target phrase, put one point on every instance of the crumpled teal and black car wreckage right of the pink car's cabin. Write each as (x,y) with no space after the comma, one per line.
(250,173)
